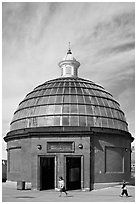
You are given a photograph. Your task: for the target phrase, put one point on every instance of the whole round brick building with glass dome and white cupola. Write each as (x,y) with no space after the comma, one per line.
(69,127)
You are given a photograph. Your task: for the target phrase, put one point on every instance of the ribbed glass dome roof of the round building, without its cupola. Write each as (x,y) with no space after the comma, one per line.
(69,101)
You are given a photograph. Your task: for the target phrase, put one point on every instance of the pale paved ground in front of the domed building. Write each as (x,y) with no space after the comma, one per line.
(111,194)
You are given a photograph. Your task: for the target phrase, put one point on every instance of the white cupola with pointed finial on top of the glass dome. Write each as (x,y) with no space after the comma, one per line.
(69,65)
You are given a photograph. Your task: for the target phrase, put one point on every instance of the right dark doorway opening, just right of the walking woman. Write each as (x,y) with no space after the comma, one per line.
(73,173)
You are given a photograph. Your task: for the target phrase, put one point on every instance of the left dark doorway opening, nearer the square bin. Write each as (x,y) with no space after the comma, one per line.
(47,173)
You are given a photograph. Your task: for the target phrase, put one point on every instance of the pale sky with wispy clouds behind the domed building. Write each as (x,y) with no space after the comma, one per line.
(35,38)
